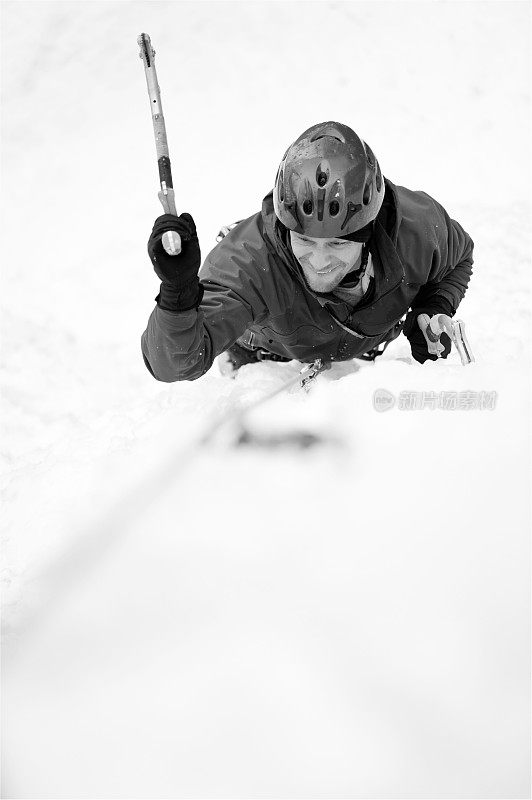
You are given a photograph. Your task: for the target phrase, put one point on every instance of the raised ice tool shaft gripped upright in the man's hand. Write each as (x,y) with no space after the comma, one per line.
(171,240)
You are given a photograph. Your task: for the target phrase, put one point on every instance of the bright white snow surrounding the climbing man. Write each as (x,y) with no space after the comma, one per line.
(349,620)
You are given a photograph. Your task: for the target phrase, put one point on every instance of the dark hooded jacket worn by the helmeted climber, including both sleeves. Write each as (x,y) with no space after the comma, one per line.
(255,291)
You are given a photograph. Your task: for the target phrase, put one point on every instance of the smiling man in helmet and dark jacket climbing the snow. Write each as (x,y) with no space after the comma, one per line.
(328,269)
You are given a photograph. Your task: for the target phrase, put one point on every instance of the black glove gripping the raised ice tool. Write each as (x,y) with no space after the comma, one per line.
(180,286)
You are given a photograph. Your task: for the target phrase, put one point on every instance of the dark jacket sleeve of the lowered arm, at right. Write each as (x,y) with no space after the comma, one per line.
(451,263)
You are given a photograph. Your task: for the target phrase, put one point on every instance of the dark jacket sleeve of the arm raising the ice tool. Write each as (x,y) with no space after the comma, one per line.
(182,345)
